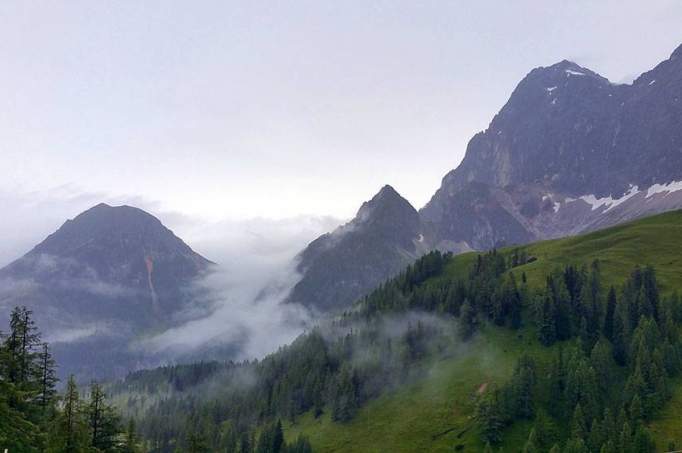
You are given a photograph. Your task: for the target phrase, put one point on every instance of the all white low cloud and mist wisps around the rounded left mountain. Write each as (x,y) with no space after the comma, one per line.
(240,304)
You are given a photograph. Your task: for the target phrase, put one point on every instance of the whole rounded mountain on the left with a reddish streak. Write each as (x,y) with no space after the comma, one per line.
(101,279)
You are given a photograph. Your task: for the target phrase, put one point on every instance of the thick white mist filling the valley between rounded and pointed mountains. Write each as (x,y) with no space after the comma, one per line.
(256,271)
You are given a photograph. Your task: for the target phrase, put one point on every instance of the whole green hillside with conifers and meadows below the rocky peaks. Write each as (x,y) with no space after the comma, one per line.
(568,345)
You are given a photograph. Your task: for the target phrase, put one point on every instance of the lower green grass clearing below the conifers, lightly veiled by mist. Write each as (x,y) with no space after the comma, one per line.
(432,414)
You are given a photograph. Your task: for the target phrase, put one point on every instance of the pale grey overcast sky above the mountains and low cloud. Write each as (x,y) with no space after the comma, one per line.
(233,110)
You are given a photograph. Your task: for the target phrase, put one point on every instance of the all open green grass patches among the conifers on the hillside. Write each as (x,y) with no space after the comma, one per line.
(414,417)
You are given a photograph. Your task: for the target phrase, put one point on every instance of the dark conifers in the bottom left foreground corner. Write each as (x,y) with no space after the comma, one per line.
(35,418)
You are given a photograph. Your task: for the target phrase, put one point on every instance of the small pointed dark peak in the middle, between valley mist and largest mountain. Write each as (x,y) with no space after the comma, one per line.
(345,264)
